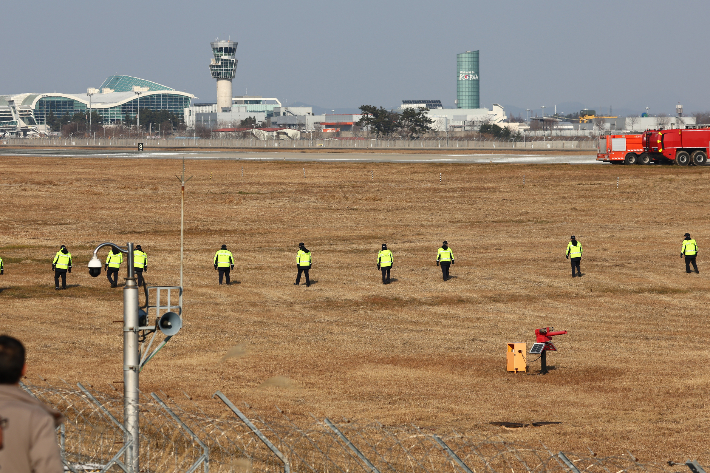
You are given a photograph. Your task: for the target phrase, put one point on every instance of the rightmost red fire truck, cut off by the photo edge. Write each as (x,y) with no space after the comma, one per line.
(682,146)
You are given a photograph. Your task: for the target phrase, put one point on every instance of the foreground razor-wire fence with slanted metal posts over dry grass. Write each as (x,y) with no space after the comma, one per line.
(176,435)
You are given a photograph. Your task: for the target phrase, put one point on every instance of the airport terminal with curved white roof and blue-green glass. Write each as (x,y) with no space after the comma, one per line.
(113,101)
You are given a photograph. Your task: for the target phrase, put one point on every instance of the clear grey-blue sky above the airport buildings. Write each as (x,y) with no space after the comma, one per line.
(335,54)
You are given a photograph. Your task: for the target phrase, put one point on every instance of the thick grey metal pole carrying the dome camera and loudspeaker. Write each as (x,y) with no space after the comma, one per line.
(131,363)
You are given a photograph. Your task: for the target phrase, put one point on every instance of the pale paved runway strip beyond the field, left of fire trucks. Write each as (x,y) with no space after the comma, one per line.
(309,157)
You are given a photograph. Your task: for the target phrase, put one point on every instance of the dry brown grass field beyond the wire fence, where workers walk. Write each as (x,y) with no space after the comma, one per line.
(631,374)
